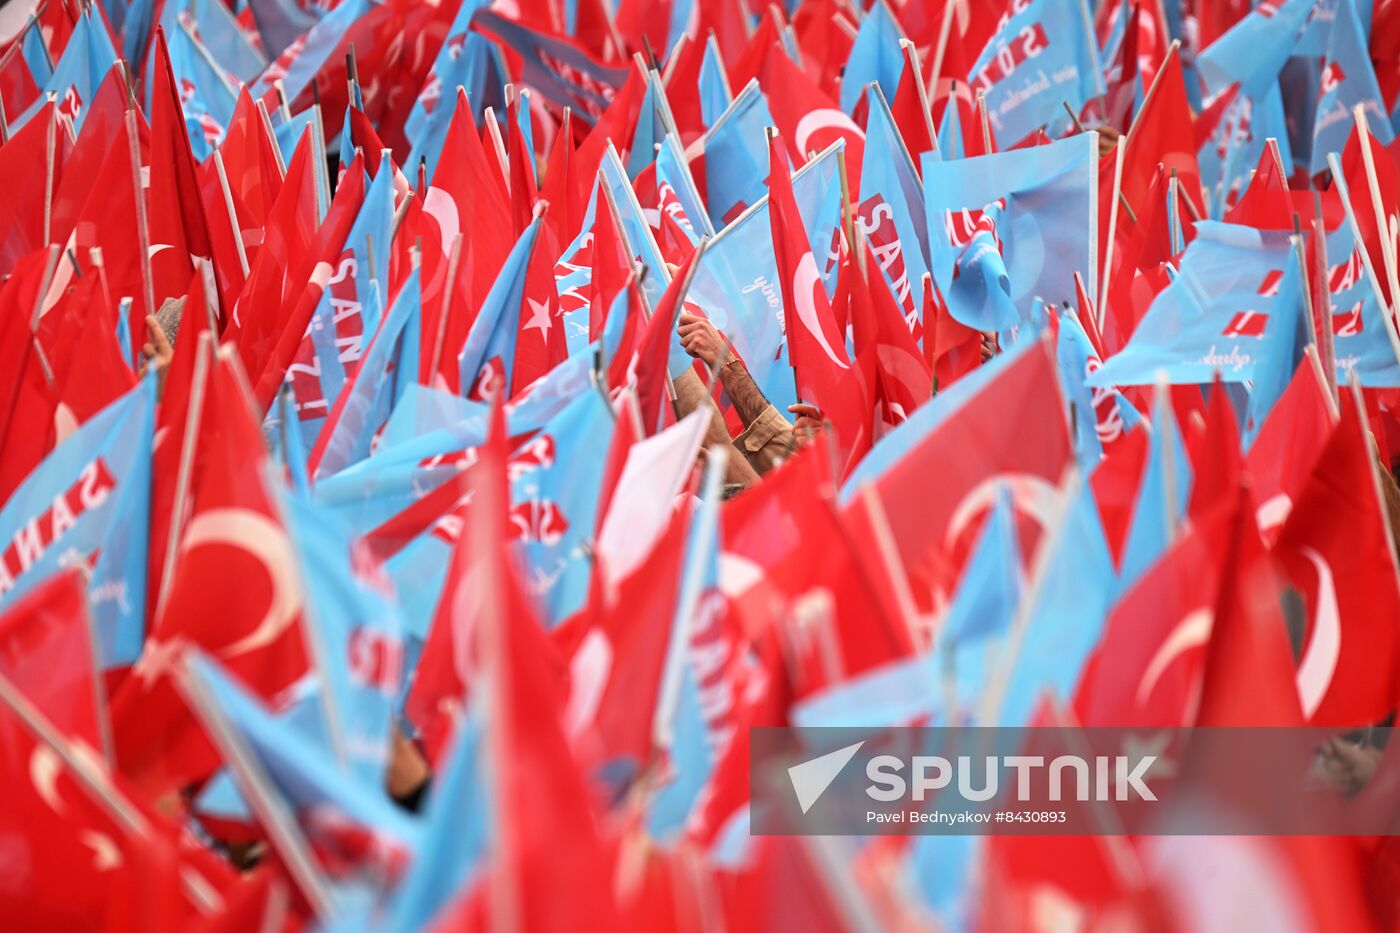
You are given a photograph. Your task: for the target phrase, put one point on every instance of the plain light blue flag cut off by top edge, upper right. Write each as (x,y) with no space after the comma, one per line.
(1255,50)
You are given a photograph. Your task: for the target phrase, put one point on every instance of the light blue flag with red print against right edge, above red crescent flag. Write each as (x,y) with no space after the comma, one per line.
(1363,344)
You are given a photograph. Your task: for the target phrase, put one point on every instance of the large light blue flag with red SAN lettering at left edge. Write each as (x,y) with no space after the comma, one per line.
(90,495)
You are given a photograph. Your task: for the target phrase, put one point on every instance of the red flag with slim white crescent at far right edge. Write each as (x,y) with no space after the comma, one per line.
(1338,551)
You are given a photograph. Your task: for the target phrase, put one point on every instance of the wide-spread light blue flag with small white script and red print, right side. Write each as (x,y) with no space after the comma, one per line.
(1212,317)
